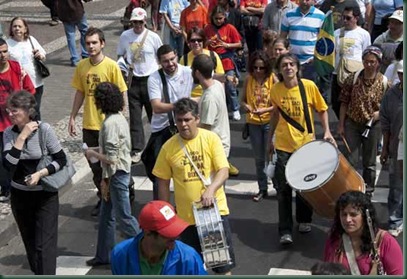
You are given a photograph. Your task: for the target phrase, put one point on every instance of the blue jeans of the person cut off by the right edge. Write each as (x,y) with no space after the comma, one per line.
(395,198)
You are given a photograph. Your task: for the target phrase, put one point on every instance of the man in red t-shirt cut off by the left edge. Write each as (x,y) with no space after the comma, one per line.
(12,78)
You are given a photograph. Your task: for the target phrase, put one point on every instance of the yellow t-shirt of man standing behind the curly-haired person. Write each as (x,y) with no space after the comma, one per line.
(86,78)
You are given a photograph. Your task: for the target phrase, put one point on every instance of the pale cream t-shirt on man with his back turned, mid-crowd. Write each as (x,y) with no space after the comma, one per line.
(214,112)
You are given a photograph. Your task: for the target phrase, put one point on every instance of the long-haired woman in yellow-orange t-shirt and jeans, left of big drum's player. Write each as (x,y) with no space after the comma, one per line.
(257,103)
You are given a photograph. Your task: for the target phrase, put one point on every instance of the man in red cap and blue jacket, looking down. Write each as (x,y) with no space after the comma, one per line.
(155,251)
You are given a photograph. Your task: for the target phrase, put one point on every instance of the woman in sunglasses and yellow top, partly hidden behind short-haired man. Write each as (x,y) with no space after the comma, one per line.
(196,38)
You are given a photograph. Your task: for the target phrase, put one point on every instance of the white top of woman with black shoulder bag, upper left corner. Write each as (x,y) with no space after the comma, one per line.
(22,52)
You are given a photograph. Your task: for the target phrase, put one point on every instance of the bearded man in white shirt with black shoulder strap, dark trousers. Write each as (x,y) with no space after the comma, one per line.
(177,79)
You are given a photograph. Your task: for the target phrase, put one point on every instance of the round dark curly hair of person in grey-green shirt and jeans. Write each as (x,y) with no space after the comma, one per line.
(108,98)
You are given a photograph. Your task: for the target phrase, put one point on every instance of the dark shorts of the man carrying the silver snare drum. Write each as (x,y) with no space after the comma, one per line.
(190,236)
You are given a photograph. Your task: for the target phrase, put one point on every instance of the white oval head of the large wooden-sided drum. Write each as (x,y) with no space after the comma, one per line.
(312,165)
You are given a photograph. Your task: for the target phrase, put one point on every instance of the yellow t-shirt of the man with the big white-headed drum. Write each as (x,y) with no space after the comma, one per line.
(288,138)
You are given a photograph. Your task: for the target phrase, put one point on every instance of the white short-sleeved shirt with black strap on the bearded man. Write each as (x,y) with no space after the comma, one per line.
(179,86)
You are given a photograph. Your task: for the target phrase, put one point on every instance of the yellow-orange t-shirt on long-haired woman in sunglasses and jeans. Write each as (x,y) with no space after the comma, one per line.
(258,97)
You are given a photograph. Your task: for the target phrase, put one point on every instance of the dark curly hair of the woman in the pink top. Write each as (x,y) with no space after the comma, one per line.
(359,201)
